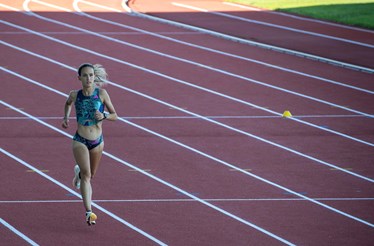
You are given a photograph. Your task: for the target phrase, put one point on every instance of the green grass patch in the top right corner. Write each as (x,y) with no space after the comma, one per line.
(350,12)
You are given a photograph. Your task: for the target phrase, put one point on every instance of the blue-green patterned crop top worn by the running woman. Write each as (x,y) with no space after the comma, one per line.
(86,106)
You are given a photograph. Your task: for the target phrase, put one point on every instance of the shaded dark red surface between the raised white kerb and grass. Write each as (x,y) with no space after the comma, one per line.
(325,40)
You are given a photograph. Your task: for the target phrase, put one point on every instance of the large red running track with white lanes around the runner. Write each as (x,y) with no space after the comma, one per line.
(202,155)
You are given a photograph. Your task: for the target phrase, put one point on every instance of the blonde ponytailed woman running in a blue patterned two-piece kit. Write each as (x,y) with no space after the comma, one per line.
(88,141)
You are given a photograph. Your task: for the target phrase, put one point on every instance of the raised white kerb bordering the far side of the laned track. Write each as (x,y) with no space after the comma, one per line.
(219,52)
